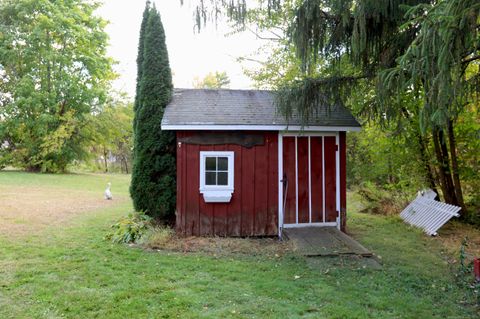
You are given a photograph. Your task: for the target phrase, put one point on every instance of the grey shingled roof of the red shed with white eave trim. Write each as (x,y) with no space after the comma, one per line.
(243,110)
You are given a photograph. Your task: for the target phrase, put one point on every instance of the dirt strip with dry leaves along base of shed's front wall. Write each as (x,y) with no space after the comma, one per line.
(165,239)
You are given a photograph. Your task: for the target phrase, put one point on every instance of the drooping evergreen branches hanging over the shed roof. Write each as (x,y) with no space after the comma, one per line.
(372,36)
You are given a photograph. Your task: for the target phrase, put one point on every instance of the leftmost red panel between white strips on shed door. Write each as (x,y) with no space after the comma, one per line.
(290,174)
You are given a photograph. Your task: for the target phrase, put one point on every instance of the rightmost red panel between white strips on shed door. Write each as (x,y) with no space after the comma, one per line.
(330,179)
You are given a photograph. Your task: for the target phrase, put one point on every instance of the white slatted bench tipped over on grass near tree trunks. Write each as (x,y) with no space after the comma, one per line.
(426,213)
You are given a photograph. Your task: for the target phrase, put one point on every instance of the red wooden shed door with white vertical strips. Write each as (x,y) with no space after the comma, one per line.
(309,180)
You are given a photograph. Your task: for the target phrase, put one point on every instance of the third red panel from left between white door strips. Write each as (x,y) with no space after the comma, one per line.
(317,179)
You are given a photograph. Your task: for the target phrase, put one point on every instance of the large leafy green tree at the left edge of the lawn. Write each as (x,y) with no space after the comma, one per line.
(54,73)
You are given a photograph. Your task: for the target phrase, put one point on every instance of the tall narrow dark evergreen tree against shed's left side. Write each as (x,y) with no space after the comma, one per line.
(153,177)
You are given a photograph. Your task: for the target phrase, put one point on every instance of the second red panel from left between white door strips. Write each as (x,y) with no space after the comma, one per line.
(303,199)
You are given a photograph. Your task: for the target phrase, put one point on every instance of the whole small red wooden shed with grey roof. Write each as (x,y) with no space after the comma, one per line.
(242,170)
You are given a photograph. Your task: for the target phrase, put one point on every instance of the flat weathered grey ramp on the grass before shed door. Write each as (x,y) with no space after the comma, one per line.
(324,241)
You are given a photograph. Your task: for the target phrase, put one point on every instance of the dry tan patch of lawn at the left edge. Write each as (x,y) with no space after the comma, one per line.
(25,210)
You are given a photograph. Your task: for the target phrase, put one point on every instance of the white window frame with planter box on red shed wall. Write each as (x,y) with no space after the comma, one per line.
(217,193)
